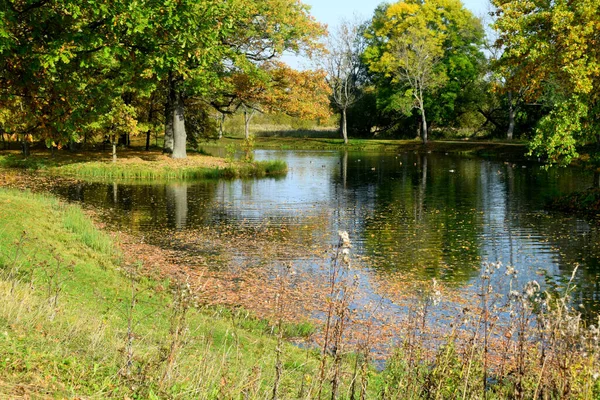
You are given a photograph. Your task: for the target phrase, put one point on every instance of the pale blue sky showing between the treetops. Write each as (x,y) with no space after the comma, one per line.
(330,12)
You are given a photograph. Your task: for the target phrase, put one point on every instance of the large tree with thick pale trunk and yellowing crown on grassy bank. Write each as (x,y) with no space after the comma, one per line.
(215,39)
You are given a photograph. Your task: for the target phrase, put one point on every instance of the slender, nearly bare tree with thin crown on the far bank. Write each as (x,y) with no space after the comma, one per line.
(343,67)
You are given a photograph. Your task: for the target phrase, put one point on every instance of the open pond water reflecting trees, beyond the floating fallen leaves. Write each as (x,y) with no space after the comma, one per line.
(421,216)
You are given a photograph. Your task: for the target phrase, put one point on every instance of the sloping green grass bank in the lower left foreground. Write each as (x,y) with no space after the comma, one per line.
(76,322)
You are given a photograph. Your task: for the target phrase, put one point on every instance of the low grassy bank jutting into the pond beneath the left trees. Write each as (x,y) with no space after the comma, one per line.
(140,165)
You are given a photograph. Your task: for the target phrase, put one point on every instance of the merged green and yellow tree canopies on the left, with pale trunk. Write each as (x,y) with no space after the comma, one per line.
(68,63)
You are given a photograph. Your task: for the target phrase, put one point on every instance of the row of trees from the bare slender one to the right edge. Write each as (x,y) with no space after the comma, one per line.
(422,69)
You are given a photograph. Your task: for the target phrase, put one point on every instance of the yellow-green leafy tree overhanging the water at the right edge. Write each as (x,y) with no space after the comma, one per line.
(551,48)
